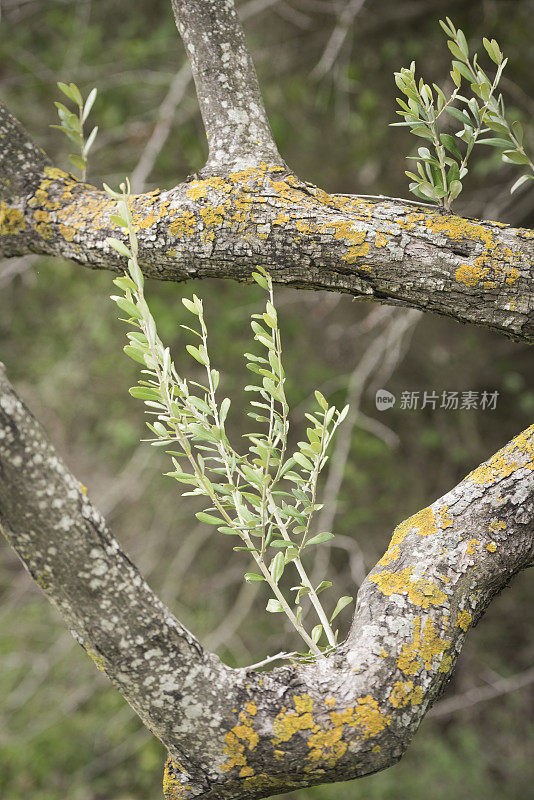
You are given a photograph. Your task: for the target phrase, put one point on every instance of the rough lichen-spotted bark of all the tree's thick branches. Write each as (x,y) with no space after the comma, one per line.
(235,733)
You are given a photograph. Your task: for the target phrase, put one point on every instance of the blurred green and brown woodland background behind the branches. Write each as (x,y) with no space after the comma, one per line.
(326,69)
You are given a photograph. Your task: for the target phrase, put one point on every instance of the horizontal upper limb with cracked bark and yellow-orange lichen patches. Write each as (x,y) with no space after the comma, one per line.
(386,250)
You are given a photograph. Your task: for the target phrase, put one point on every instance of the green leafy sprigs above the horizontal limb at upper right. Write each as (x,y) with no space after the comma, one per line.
(441,169)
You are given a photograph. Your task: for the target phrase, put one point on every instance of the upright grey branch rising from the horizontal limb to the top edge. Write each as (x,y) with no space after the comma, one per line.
(230,100)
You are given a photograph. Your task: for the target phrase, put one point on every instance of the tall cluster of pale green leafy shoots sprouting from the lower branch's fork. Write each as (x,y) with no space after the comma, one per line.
(264,497)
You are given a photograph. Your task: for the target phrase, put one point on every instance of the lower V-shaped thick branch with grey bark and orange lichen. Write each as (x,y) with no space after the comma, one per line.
(237,733)
